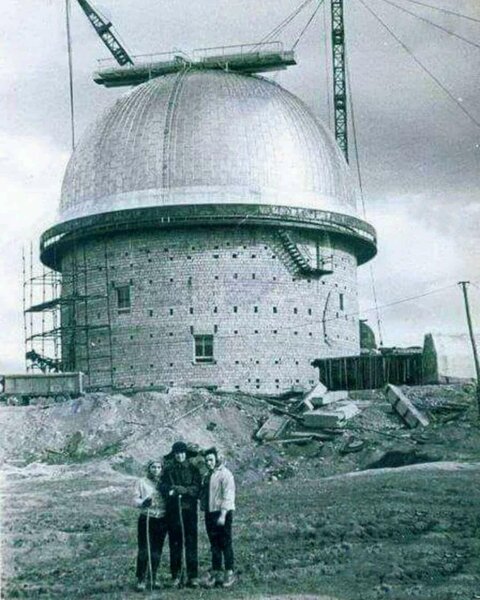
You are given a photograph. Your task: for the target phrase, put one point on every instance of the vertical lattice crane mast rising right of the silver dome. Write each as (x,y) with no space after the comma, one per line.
(339,81)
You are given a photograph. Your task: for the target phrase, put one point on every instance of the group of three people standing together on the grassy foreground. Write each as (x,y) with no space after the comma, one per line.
(168,499)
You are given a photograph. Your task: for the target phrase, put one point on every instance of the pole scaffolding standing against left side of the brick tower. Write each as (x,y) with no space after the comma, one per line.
(59,311)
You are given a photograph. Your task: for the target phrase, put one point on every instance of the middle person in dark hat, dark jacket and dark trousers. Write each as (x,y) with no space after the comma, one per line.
(180,485)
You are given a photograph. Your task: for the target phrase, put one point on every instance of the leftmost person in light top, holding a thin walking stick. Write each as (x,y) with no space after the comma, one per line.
(152,525)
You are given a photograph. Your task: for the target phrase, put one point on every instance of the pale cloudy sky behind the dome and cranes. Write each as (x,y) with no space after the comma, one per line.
(419,152)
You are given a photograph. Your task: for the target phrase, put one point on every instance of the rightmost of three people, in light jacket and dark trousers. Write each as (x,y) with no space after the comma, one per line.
(218,503)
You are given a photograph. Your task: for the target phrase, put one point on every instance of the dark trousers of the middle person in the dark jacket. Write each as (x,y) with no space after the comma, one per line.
(190,528)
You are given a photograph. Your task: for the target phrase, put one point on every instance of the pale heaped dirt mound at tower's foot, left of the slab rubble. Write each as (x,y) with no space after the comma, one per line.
(126,431)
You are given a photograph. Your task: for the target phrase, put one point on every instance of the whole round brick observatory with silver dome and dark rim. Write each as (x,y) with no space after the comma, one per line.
(207,233)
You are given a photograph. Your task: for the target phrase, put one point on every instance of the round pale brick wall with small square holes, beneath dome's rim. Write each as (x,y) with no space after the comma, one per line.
(268,322)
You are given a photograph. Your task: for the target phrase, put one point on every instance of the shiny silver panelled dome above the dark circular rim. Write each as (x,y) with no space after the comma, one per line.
(201,137)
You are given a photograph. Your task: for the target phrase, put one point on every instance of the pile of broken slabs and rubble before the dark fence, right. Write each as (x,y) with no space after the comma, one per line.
(338,432)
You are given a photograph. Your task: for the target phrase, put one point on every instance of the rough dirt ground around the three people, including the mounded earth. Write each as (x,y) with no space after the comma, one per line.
(398,519)
